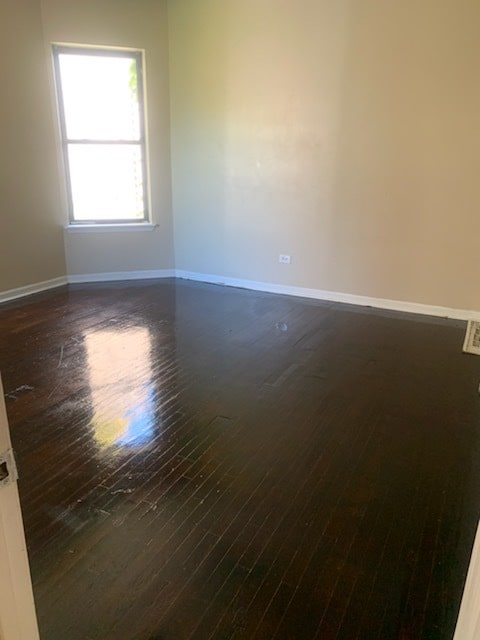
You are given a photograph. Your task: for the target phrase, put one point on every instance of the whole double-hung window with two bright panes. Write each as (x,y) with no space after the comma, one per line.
(100,98)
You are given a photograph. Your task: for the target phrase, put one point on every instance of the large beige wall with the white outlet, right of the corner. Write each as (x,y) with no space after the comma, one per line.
(345,133)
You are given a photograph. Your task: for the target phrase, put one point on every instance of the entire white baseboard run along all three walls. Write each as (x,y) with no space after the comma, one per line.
(268,287)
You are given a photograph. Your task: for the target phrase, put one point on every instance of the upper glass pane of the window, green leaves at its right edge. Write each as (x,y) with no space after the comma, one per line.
(100,96)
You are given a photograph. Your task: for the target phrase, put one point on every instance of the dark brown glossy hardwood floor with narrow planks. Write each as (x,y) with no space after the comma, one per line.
(199,462)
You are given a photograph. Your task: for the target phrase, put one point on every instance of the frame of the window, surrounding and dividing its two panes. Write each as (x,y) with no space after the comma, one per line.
(139,57)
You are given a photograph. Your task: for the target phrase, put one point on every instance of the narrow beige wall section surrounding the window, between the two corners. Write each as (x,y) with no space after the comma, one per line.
(141,24)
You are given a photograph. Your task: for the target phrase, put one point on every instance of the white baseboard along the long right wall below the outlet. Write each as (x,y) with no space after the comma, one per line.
(333,296)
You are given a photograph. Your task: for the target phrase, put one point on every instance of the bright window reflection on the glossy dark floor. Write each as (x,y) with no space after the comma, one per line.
(120,373)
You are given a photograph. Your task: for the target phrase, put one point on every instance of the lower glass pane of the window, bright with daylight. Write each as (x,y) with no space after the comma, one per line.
(106,182)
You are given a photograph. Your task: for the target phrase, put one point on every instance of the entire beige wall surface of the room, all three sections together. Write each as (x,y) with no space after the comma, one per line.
(344,133)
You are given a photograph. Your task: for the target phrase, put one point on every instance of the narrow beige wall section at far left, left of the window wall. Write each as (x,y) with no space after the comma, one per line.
(31,222)
